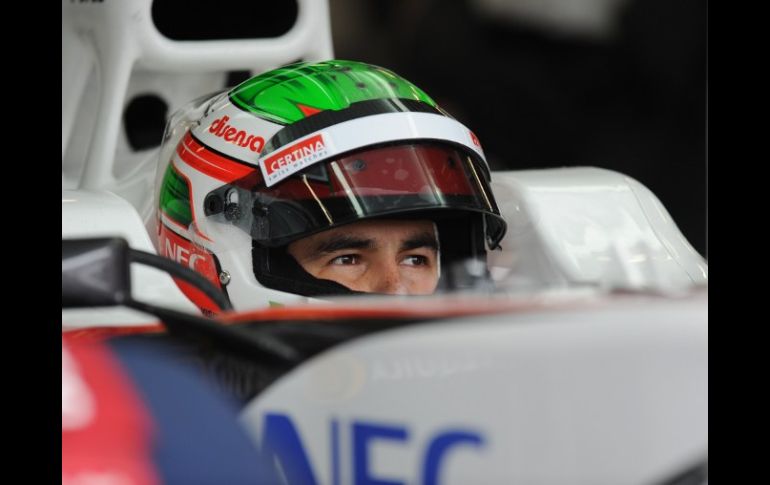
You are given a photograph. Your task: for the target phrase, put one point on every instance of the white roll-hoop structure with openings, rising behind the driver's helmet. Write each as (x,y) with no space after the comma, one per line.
(113,49)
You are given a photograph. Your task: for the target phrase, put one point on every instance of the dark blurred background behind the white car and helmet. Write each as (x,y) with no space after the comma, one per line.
(619,84)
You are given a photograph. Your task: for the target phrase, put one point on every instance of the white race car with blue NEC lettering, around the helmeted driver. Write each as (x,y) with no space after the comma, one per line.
(586,361)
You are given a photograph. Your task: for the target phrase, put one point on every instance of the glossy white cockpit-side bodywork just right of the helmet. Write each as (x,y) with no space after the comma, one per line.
(585,225)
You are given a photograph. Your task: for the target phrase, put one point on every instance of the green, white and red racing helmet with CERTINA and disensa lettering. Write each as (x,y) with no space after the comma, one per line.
(304,148)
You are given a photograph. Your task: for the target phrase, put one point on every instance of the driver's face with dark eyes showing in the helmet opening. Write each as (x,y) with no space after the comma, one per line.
(380,256)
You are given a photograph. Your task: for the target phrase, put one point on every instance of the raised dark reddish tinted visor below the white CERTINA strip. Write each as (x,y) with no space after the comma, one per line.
(386,181)
